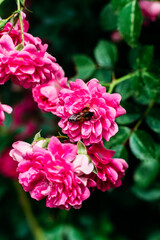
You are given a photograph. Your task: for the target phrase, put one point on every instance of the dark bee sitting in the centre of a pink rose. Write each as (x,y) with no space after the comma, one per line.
(85,115)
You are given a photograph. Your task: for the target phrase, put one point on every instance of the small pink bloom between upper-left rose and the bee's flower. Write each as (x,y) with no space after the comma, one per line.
(46,95)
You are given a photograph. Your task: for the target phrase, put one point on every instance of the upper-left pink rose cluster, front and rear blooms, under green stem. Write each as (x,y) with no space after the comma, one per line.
(29,66)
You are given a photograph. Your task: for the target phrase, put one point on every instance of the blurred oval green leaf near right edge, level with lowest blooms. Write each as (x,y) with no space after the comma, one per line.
(146,173)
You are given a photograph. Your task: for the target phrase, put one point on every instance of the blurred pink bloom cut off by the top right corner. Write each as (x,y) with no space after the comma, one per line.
(150,10)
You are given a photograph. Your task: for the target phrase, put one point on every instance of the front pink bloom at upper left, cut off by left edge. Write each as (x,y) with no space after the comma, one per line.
(29,67)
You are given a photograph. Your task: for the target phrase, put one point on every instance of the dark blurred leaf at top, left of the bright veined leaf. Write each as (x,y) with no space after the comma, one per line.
(108,18)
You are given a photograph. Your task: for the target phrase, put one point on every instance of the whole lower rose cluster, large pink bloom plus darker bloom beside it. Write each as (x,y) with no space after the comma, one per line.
(63,176)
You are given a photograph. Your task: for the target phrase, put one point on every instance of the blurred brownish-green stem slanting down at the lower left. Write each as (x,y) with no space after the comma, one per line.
(32,222)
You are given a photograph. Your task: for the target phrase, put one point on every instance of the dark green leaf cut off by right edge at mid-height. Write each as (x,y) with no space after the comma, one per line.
(153,119)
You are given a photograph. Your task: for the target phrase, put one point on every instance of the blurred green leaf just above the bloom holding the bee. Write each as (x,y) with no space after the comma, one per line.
(85,66)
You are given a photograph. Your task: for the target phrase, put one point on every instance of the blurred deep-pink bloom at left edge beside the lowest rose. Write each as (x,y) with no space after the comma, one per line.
(7,165)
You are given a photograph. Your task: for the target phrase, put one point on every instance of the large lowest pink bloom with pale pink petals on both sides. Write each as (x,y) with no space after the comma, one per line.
(54,172)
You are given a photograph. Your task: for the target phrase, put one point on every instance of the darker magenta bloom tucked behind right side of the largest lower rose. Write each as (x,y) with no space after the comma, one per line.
(109,170)
